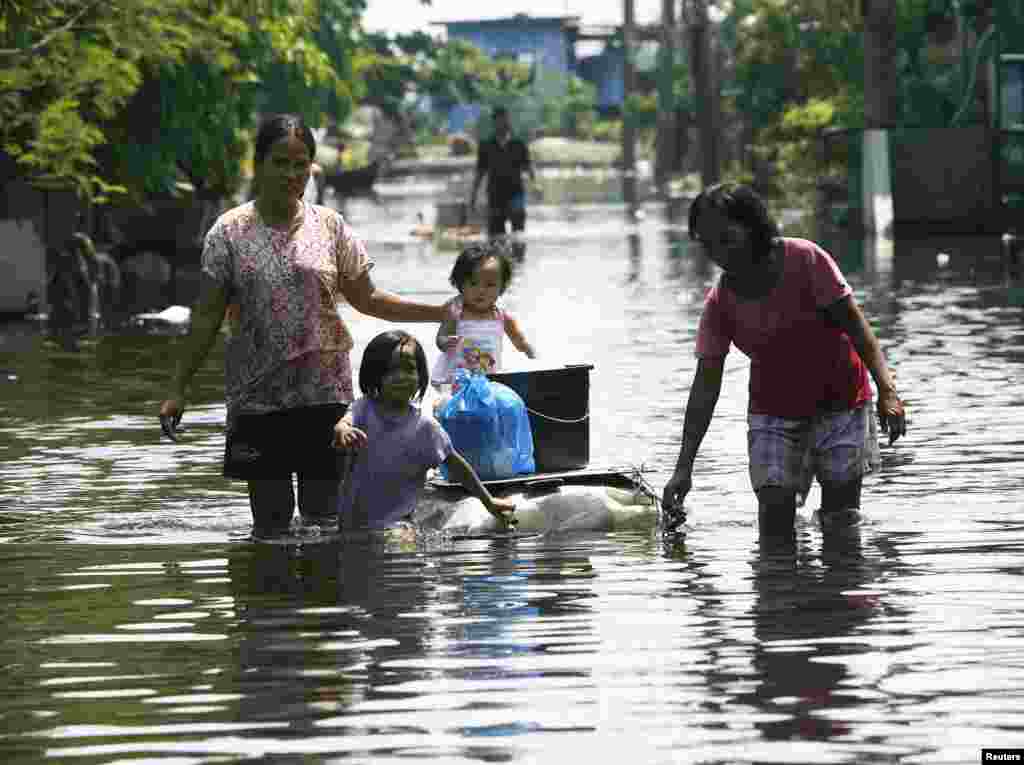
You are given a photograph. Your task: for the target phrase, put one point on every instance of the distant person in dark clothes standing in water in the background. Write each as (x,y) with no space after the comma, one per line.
(504,160)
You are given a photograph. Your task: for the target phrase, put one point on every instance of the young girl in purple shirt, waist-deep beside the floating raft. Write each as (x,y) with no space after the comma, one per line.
(395,444)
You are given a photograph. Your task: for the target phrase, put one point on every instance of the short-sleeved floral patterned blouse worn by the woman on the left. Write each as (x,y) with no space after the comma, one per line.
(288,346)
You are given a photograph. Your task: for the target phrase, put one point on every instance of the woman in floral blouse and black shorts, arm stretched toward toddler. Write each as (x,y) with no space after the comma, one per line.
(286,266)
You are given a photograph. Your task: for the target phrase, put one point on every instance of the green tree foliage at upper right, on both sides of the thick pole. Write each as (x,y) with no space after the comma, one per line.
(798,67)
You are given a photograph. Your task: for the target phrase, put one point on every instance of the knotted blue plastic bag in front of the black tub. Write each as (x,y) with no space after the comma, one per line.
(489,427)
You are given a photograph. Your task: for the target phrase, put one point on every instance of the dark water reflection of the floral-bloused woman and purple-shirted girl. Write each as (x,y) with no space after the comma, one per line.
(317,624)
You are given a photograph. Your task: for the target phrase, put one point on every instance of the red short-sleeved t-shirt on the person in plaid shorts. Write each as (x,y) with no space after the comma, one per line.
(801,364)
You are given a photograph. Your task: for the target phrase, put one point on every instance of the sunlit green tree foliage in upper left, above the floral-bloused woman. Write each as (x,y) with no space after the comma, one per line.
(126,95)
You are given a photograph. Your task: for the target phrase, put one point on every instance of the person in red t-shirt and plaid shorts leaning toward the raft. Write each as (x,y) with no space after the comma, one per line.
(786,305)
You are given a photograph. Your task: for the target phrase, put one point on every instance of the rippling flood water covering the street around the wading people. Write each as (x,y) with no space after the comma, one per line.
(142,626)
